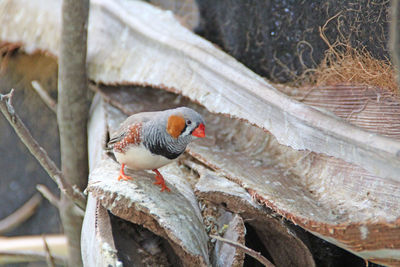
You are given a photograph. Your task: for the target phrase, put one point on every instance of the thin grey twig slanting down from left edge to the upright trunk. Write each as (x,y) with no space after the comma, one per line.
(40,154)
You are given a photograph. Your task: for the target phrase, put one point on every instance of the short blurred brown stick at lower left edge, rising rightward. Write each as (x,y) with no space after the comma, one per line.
(20,215)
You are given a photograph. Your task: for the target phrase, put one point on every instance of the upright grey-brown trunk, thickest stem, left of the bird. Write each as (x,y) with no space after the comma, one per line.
(72,115)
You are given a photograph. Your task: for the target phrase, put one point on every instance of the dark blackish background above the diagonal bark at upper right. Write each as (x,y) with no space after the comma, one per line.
(280,39)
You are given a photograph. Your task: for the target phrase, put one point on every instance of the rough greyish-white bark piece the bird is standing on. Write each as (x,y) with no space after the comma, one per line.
(166,214)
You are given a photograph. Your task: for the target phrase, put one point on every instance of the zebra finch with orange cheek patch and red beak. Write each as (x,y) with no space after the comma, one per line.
(150,140)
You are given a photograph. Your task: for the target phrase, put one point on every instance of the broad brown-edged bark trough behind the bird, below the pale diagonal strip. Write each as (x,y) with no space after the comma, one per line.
(335,200)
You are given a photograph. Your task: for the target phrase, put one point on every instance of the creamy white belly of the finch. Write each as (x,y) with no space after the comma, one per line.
(140,158)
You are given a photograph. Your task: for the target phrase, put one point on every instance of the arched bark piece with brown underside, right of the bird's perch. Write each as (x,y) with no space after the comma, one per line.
(280,238)
